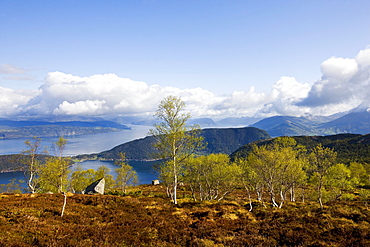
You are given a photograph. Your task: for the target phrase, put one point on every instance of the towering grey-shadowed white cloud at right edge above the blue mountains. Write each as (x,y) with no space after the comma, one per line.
(345,83)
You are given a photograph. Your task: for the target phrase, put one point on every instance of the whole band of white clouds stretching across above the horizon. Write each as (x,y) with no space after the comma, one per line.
(344,84)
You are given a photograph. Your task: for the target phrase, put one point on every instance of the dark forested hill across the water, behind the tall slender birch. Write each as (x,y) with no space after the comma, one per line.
(222,140)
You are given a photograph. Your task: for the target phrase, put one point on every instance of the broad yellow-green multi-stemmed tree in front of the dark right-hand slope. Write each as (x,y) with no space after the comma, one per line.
(278,167)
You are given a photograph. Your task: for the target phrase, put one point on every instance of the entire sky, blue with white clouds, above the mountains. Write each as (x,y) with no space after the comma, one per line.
(223,58)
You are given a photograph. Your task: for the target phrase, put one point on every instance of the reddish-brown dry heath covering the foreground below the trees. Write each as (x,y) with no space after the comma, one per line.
(148,218)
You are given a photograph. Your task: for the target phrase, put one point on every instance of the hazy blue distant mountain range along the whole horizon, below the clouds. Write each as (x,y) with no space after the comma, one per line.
(356,121)
